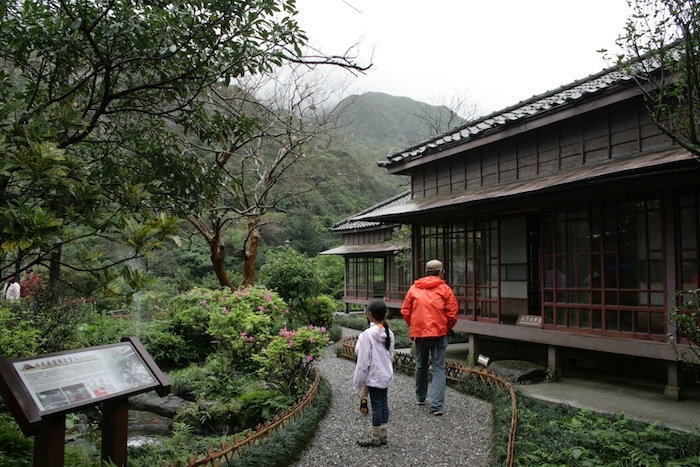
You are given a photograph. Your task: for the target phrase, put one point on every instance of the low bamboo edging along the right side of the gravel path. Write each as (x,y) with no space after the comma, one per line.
(456,372)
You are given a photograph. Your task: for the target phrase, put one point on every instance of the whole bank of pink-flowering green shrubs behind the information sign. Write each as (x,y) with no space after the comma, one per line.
(252,328)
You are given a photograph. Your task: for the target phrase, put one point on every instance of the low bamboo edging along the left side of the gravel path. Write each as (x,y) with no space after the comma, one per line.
(253,437)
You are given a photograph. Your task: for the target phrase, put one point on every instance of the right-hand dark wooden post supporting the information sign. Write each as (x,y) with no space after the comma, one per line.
(115,418)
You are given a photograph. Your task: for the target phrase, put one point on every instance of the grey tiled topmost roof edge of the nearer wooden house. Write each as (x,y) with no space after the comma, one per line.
(535,106)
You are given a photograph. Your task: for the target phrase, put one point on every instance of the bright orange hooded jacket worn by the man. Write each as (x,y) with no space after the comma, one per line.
(430,308)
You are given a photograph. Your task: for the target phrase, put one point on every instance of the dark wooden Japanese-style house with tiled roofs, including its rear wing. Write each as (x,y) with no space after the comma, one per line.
(567,223)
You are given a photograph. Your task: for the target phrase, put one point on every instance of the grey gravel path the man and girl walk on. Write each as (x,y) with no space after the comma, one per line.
(462,436)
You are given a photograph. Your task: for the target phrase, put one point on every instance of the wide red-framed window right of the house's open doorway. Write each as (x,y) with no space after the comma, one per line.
(603,267)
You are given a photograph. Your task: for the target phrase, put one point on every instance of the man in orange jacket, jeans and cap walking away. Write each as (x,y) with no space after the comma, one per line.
(430,310)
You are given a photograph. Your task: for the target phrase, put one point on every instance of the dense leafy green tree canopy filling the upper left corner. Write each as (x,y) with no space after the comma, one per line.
(94,100)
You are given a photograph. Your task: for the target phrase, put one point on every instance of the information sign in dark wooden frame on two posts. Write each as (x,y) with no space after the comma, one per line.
(39,391)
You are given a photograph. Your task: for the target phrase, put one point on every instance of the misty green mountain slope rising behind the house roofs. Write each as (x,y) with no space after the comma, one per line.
(370,127)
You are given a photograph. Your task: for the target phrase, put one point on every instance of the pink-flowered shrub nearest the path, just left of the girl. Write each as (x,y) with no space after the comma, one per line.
(286,361)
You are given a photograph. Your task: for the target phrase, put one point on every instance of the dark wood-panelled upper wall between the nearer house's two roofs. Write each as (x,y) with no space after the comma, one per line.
(590,138)
